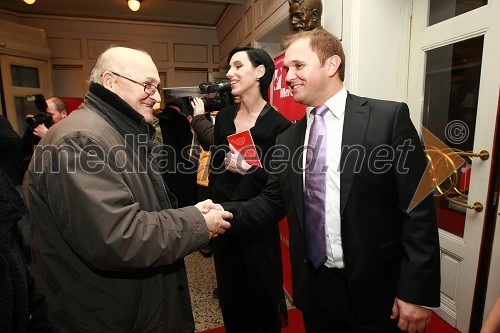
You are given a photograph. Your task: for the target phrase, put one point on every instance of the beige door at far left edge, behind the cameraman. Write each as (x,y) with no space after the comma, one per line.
(22,77)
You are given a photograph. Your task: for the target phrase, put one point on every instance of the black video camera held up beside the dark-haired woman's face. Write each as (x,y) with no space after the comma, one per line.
(222,98)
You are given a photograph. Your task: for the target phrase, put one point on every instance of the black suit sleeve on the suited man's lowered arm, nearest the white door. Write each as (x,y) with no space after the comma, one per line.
(419,281)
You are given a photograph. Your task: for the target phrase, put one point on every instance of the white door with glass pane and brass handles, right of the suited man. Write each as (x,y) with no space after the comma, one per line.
(453,91)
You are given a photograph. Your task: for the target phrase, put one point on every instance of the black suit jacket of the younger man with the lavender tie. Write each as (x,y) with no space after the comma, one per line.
(388,252)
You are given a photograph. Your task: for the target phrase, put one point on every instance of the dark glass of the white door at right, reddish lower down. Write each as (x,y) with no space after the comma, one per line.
(452,78)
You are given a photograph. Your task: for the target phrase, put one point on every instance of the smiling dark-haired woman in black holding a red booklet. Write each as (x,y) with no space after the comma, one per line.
(248,266)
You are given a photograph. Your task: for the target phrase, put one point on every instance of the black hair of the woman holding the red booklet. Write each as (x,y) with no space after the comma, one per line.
(258,57)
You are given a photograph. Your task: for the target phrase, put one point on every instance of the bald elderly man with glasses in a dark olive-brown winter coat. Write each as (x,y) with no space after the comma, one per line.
(107,246)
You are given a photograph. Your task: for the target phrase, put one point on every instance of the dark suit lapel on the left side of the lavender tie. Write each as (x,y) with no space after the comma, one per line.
(296,177)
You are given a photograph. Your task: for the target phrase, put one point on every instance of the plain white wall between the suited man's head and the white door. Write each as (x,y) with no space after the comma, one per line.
(375,36)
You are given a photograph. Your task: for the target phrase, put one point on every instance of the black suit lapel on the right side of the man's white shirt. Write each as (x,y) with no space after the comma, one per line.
(356,118)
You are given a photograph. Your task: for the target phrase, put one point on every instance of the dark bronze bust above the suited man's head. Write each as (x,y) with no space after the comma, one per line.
(305,15)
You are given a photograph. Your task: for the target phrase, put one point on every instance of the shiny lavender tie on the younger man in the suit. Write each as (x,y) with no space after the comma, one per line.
(315,188)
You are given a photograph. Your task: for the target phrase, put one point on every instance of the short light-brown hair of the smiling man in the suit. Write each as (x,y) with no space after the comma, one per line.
(323,43)
